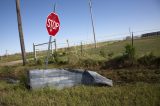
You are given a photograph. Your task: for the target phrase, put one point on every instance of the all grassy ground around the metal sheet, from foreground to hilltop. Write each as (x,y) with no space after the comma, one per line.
(133,85)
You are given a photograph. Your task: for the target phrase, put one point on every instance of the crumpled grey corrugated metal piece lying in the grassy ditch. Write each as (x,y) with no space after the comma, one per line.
(60,78)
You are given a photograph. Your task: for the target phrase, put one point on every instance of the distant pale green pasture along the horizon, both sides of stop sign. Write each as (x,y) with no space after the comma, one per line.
(143,46)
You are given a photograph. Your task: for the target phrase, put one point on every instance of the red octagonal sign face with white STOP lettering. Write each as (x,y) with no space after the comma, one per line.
(52,24)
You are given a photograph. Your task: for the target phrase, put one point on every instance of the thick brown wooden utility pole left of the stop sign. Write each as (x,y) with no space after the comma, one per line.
(20,32)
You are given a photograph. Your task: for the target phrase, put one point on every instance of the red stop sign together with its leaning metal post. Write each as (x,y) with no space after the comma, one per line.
(52,25)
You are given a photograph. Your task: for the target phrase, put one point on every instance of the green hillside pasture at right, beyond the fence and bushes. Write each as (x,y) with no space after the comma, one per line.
(143,46)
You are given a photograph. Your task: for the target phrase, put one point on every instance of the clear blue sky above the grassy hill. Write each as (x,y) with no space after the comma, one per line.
(112,19)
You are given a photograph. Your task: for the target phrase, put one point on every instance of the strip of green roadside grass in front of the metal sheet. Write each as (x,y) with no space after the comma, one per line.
(141,94)
